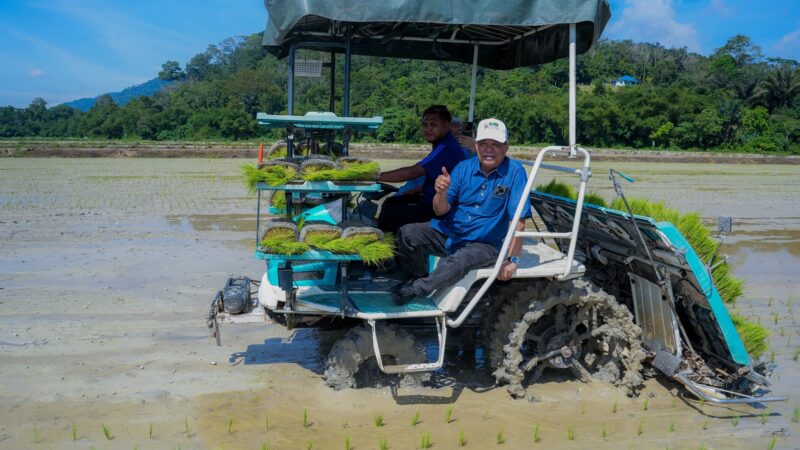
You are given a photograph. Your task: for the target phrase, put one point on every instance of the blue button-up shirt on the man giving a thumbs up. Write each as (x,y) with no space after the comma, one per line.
(481,206)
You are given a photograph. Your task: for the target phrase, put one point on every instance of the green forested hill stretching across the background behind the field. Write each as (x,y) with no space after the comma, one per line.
(735,99)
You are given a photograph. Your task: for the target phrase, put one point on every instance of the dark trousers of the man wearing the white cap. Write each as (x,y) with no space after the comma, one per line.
(416,241)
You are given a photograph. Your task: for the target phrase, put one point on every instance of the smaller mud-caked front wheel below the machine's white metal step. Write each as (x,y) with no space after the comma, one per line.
(351,362)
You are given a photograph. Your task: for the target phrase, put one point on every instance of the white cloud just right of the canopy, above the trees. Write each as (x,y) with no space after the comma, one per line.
(654,21)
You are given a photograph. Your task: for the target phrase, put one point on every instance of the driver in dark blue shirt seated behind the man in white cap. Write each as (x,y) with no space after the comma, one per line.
(399,210)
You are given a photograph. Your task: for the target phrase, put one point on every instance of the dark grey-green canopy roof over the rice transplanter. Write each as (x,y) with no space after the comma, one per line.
(511,33)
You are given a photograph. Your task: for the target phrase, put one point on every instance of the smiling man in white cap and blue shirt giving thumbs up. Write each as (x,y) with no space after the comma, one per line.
(475,204)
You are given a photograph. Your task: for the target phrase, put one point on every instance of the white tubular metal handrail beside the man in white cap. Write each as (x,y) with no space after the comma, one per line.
(584,173)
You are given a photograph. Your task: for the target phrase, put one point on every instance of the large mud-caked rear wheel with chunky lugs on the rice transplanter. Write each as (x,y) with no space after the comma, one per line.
(570,325)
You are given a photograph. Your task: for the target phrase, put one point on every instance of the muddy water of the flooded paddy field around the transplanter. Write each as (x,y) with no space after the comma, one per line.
(108,266)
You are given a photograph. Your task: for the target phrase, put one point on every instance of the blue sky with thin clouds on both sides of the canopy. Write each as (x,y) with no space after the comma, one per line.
(62,50)
